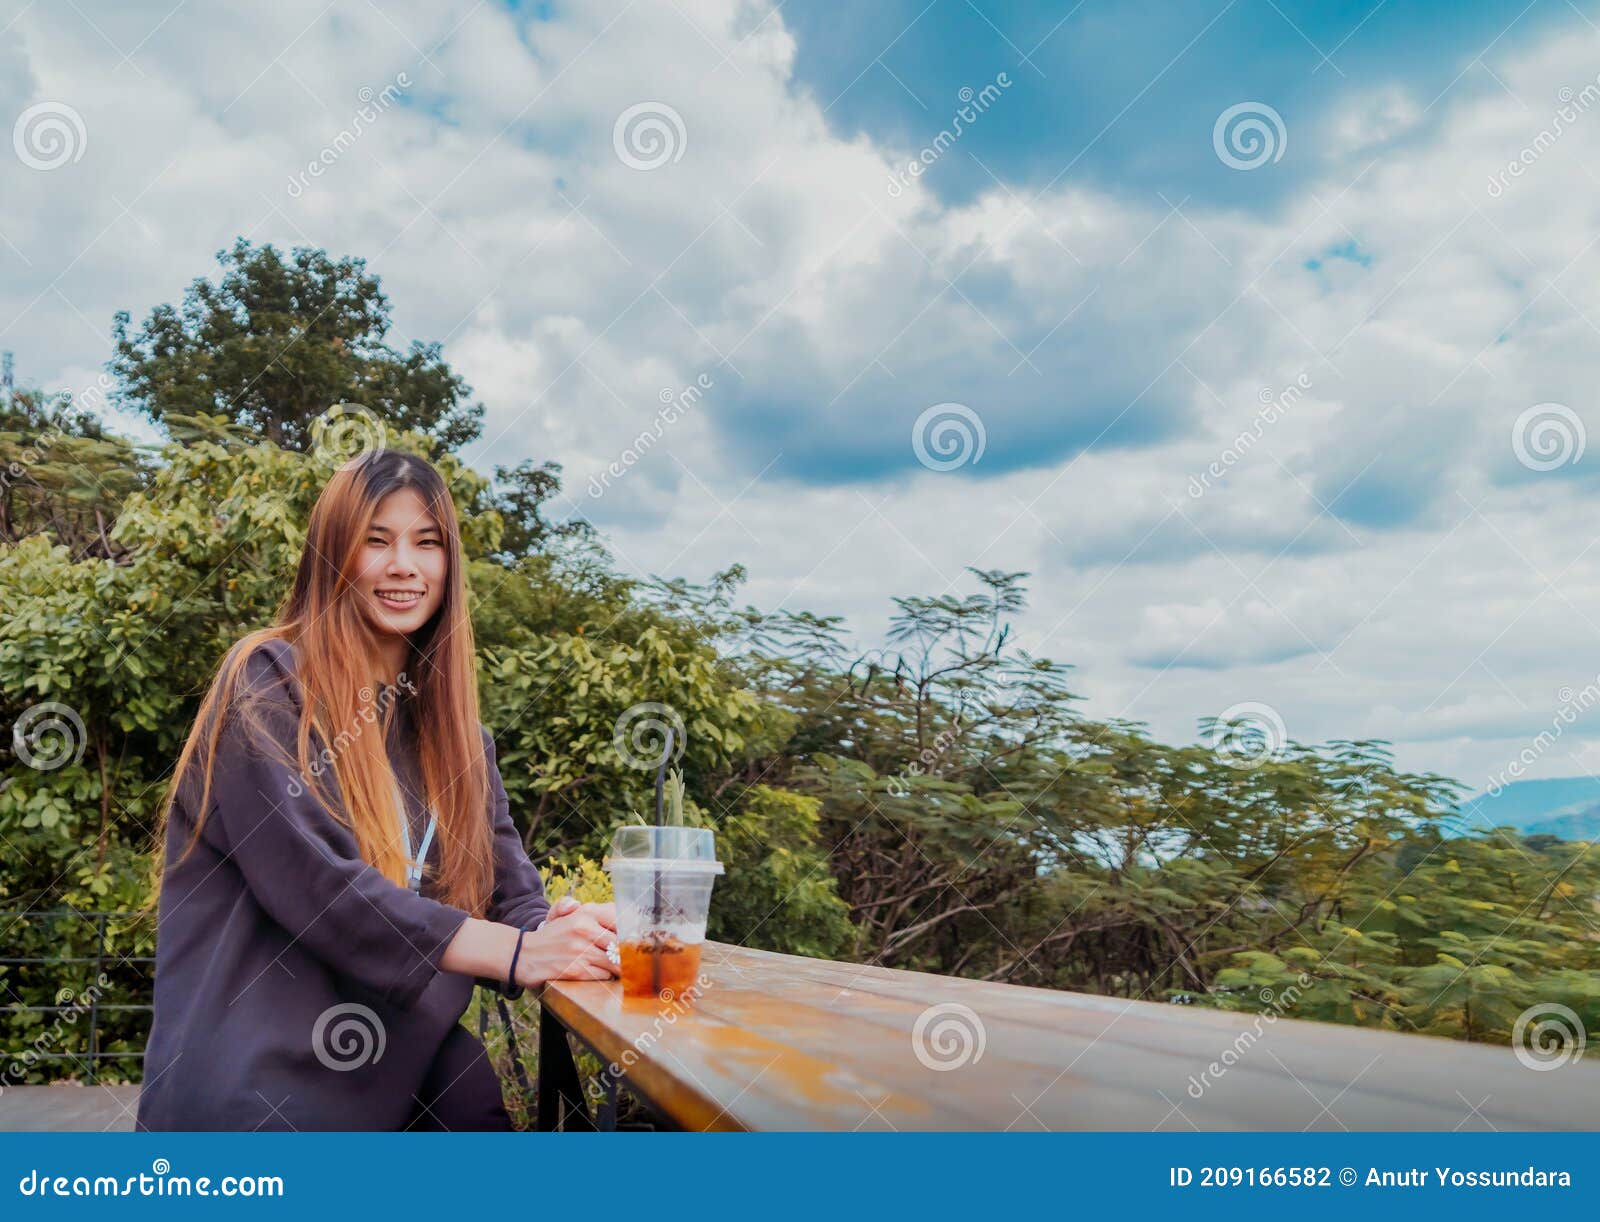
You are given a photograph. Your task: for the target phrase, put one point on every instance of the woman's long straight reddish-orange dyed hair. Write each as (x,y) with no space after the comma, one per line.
(337,653)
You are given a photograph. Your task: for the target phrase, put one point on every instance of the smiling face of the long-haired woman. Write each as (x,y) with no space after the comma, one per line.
(402,565)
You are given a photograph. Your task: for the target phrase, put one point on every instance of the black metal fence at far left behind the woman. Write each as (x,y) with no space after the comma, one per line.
(18,972)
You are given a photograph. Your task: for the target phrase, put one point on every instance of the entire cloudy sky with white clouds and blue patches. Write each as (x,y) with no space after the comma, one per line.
(1265,335)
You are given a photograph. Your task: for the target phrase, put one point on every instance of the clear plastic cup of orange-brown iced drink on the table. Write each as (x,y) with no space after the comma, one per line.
(662,879)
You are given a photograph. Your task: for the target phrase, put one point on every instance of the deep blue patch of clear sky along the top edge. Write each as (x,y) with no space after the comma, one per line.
(1126,94)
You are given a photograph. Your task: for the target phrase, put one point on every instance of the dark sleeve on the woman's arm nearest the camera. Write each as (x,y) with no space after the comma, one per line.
(305,866)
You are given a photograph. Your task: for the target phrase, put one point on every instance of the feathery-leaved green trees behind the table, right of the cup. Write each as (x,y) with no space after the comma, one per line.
(980,825)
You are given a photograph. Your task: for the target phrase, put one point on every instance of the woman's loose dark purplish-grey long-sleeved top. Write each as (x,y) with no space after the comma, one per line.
(295,986)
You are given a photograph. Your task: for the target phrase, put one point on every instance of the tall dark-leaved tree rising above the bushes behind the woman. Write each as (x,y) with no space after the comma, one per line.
(278,341)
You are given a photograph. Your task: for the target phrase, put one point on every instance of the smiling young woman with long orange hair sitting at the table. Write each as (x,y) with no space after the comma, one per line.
(340,865)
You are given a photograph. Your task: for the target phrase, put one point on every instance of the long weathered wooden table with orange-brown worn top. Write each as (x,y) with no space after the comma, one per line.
(782,1042)
